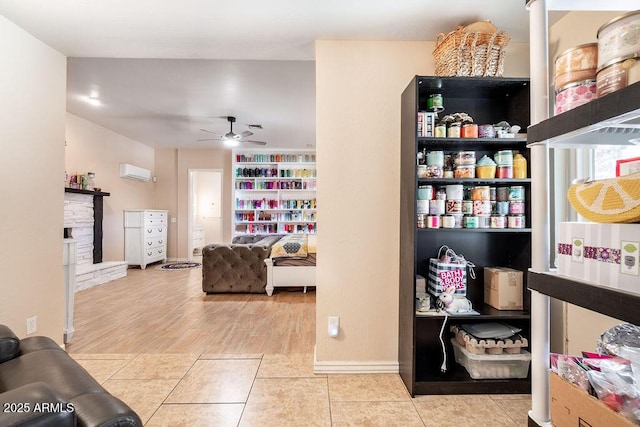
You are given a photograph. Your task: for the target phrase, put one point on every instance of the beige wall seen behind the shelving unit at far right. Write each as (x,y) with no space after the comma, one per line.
(568,331)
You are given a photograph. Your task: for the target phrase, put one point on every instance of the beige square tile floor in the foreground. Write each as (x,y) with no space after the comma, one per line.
(282,390)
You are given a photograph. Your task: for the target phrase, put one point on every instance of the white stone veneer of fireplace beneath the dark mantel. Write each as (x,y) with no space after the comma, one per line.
(78,215)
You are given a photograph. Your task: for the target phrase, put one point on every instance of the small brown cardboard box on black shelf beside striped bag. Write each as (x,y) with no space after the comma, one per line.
(503,288)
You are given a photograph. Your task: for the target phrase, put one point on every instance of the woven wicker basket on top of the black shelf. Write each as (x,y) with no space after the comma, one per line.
(465,52)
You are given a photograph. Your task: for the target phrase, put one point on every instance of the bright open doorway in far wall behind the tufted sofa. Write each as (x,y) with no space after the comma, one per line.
(205,210)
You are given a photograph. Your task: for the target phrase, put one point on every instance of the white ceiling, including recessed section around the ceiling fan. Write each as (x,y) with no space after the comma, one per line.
(164,69)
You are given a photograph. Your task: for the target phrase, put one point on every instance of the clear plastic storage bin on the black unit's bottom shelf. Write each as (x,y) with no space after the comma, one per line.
(485,366)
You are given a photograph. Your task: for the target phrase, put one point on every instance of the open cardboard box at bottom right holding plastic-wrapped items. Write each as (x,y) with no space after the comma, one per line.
(573,407)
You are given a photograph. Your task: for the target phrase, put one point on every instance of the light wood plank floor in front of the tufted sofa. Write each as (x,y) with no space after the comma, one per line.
(159,311)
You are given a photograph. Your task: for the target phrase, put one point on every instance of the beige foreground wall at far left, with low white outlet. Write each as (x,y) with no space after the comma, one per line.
(32,107)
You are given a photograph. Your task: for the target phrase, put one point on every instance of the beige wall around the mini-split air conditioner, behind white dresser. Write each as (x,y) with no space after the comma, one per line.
(96,149)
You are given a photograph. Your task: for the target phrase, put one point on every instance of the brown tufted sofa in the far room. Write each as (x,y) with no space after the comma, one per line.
(237,267)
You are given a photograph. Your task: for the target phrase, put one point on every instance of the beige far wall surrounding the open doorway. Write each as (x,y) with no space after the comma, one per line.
(173,190)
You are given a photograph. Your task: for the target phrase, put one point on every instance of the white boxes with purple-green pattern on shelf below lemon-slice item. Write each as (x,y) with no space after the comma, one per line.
(604,254)
